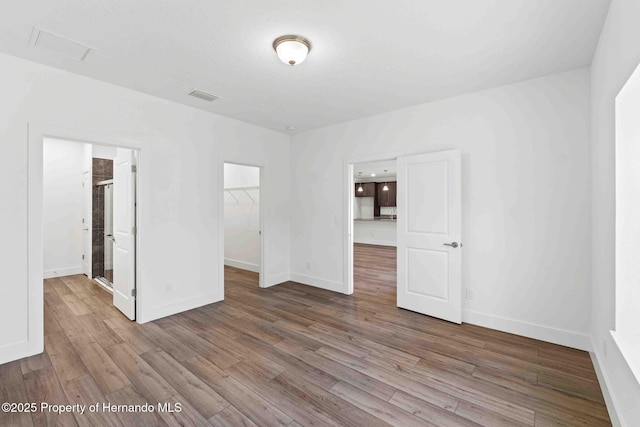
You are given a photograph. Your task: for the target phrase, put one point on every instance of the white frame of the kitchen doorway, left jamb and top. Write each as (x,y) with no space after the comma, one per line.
(349,194)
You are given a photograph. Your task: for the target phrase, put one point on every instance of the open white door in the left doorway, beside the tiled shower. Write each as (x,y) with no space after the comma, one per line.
(124,245)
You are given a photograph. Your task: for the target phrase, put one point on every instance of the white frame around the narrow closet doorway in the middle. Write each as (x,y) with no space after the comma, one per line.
(262,269)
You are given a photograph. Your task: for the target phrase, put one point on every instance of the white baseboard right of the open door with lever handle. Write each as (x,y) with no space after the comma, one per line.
(530,330)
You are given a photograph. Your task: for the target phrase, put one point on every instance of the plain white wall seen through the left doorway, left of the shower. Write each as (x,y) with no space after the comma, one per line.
(63,165)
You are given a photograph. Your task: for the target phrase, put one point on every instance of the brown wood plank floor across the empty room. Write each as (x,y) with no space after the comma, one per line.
(296,355)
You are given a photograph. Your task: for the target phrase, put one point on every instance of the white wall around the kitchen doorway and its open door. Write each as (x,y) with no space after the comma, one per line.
(526,198)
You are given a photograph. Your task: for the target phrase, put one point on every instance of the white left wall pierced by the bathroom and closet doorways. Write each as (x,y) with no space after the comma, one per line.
(182,150)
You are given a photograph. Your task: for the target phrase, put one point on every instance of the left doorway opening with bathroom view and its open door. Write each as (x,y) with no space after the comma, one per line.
(89,220)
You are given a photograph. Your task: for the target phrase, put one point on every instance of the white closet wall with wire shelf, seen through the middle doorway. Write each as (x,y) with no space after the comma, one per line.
(242,217)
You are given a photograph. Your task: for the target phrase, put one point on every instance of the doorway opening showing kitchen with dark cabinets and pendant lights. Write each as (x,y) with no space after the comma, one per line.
(375,230)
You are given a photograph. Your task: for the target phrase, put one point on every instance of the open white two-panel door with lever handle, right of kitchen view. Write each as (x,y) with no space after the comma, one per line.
(429,203)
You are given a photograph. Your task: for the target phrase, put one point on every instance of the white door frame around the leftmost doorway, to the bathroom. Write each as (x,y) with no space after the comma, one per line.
(35,286)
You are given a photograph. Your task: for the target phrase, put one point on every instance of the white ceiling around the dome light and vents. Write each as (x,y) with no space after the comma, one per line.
(367,56)
